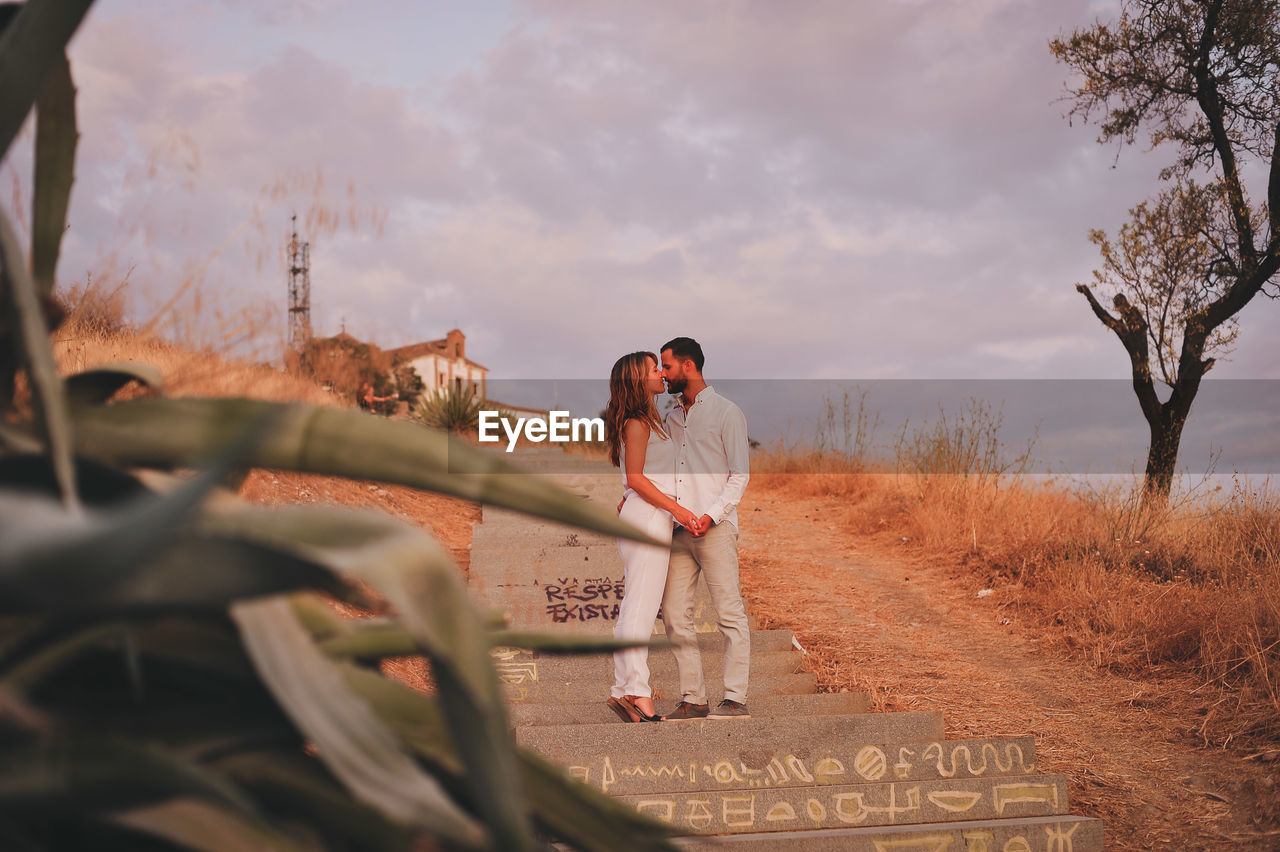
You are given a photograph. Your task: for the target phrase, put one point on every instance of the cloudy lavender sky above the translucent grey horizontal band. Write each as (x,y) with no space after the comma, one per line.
(813,190)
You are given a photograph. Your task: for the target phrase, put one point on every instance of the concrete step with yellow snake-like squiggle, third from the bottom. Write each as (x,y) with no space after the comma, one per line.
(808,766)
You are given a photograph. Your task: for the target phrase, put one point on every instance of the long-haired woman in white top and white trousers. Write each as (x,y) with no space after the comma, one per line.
(639,446)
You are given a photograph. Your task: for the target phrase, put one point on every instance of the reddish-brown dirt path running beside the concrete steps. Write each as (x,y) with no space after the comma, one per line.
(917,636)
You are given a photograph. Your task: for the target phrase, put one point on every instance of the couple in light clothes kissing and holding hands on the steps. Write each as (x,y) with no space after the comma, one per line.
(684,477)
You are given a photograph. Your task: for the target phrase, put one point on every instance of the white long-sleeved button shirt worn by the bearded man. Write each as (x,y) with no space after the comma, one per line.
(712,465)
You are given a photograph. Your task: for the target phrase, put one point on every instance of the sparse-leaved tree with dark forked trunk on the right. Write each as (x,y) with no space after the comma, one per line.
(1203,76)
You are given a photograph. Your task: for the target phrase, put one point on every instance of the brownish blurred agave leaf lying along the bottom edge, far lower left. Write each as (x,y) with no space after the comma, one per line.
(202,826)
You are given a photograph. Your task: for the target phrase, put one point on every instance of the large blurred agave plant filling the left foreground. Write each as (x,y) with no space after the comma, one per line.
(171,675)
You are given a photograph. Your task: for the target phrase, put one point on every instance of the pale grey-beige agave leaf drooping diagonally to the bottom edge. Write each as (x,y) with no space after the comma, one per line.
(350,739)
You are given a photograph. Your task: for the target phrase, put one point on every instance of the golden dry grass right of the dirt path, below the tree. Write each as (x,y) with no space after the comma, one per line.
(1190,590)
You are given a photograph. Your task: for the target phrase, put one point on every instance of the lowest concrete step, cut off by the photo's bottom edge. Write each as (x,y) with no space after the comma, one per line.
(1039,833)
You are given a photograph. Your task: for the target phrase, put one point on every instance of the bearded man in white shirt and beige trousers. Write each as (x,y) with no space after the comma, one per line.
(711,477)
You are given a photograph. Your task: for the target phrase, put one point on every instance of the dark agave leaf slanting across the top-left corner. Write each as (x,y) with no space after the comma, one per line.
(31,47)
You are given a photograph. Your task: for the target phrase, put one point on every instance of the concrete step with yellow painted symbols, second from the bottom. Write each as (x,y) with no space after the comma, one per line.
(870,804)
